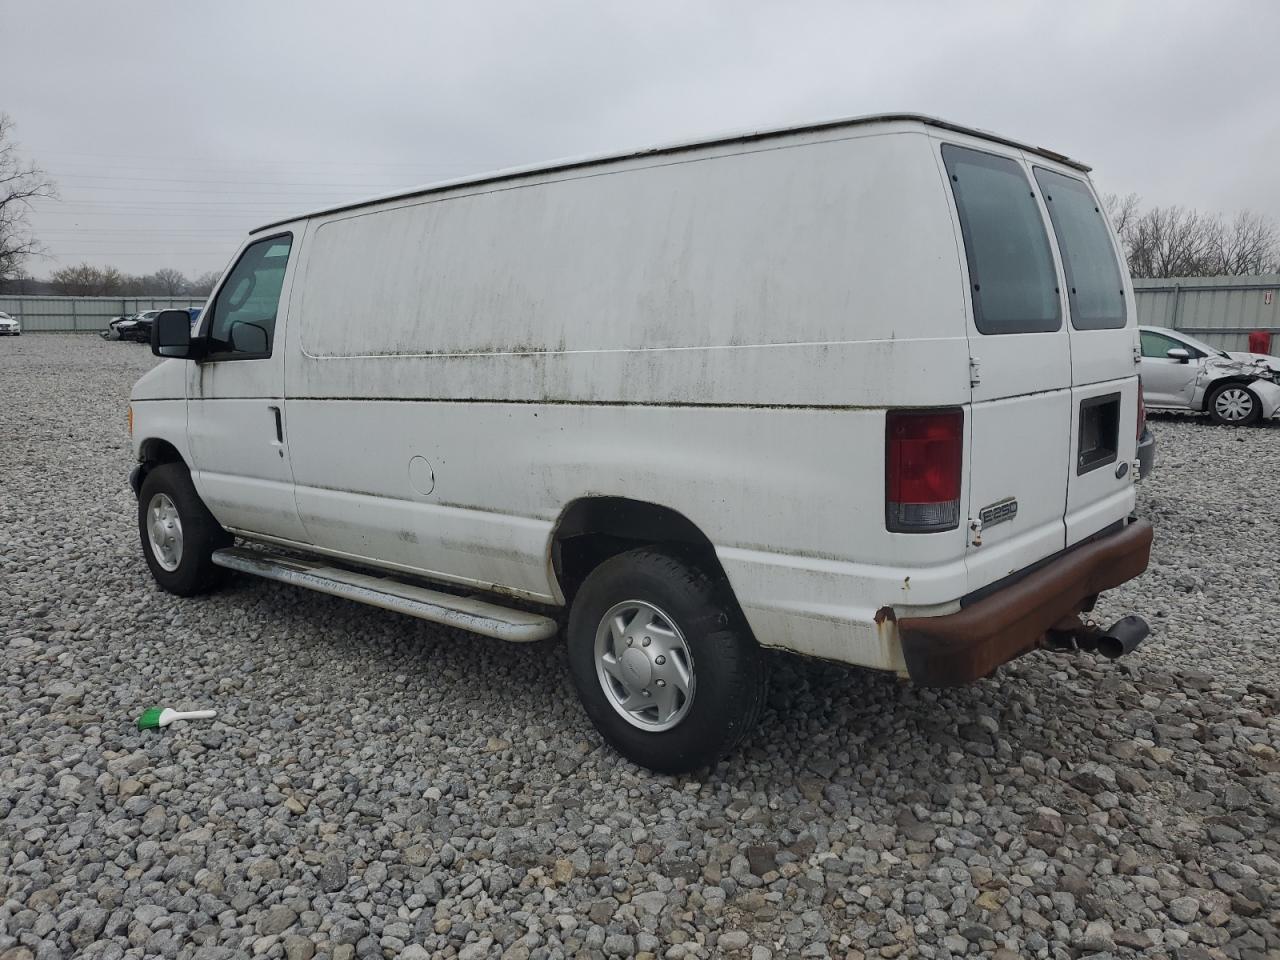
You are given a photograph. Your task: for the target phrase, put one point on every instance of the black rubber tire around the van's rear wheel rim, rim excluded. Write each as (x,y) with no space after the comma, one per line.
(730,670)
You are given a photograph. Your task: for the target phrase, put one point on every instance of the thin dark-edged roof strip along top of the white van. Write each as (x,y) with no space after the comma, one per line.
(742,138)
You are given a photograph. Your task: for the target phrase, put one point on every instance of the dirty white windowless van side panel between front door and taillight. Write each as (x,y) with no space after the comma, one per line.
(719,335)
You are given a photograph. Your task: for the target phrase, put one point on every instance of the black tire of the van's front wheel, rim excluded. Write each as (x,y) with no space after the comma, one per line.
(202,534)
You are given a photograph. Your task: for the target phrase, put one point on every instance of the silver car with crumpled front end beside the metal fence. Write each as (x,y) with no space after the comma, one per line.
(1181,372)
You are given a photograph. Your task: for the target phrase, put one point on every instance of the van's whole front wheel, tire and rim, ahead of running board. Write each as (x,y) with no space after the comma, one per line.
(179,533)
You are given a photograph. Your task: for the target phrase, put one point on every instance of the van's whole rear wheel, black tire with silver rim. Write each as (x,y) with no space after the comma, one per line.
(662,662)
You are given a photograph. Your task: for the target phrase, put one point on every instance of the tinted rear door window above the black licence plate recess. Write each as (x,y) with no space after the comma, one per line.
(1094,284)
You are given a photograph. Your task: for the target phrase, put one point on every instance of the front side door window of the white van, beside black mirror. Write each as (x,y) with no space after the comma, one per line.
(243,319)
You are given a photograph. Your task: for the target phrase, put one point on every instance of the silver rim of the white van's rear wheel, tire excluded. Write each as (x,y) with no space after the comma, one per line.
(644,666)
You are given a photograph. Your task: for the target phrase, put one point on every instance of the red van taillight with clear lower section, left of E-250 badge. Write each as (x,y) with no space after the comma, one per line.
(924,459)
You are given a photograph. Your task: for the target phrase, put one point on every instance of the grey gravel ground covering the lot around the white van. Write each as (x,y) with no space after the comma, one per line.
(377,788)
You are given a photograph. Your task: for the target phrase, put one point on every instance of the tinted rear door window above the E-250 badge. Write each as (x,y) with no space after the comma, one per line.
(1012,272)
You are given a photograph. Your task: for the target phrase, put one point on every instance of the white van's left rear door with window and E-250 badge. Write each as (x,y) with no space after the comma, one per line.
(1021,355)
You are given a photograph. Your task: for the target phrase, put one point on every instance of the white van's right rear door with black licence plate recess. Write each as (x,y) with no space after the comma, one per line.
(1104,362)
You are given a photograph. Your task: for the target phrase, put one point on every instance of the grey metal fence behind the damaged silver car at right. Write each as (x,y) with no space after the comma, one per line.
(1220,310)
